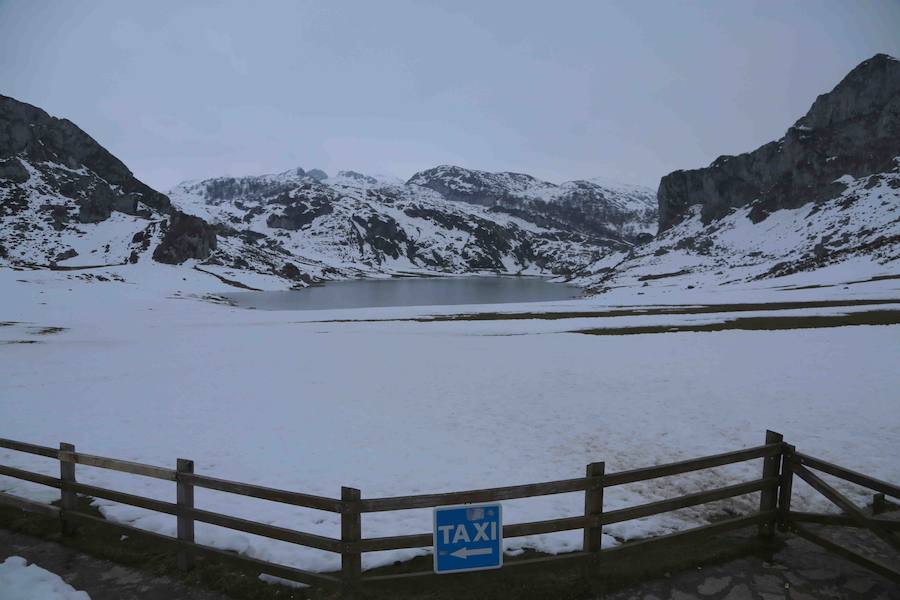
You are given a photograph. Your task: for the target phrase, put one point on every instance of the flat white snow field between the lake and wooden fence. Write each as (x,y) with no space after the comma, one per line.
(278,399)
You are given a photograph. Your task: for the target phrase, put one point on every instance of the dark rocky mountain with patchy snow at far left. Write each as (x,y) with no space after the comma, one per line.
(65,200)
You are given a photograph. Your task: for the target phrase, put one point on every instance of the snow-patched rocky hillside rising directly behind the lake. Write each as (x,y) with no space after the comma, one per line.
(353,224)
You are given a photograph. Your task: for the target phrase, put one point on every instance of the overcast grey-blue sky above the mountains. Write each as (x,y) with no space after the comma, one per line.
(561,90)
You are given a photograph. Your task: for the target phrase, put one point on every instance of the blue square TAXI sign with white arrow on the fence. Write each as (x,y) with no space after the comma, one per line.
(468,538)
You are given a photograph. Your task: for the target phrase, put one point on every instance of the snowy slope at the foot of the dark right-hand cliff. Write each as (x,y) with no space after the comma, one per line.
(859,229)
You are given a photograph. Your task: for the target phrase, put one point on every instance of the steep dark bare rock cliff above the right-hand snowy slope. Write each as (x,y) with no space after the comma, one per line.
(852,130)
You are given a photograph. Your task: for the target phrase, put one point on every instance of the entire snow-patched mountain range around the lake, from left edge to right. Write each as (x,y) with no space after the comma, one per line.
(825,194)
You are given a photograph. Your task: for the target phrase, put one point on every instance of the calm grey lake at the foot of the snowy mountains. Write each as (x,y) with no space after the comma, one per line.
(421,291)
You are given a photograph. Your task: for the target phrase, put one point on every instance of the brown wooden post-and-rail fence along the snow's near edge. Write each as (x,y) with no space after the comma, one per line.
(780,464)
